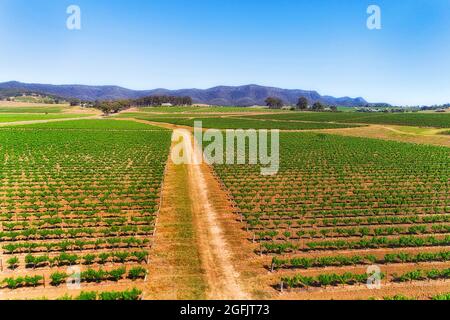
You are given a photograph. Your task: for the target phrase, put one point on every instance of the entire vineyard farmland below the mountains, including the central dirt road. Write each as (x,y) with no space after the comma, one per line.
(91,194)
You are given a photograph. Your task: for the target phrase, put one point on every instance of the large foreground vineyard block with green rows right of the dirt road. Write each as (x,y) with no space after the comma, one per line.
(341,204)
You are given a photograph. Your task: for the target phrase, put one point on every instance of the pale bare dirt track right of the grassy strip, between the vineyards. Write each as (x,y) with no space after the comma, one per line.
(222,279)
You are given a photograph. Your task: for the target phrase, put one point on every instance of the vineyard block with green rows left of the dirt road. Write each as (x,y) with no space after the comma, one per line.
(85,197)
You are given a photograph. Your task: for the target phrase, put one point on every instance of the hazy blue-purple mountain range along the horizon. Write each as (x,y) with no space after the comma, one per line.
(247,95)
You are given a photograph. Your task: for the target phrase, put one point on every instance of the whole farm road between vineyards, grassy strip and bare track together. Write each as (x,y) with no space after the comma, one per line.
(190,221)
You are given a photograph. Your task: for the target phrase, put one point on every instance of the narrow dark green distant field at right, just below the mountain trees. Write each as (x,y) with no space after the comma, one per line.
(406,119)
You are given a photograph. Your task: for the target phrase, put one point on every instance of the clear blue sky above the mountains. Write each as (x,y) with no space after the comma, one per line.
(321,45)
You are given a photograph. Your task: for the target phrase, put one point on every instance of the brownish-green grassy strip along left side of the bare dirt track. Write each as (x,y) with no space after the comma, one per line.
(175,266)
